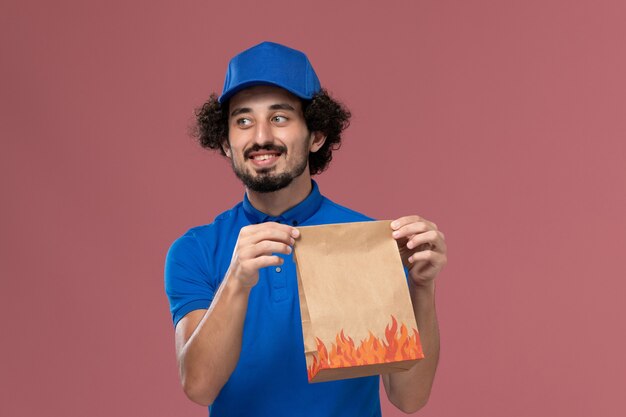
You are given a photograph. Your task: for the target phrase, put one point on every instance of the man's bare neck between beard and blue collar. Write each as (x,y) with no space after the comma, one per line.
(278,202)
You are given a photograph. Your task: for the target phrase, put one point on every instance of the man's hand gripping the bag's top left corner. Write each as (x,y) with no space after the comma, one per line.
(254,248)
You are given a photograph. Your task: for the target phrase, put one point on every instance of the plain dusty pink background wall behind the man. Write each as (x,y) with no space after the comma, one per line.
(503,122)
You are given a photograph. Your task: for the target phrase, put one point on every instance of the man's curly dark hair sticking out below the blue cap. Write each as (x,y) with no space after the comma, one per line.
(322,114)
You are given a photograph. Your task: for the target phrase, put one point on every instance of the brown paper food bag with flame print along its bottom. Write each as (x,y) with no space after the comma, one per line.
(357,316)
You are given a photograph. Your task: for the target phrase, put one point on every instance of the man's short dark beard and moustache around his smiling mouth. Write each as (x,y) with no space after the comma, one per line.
(265,181)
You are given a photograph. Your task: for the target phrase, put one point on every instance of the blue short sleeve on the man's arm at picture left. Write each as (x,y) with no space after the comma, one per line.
(187,284)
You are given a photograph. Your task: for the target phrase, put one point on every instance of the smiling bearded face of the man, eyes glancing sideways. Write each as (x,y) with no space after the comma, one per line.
(268,140)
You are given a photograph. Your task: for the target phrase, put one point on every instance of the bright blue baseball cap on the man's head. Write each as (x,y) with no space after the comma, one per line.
(270,63)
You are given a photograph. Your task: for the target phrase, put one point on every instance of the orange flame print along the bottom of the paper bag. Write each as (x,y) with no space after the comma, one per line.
(398,346)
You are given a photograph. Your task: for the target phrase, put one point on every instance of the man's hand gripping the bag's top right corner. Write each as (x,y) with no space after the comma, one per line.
(422,248)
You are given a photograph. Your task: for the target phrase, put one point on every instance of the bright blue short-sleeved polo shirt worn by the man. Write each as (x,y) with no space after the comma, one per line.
(270,378)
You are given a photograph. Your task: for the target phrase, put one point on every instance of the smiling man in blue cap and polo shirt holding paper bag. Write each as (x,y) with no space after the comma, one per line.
(232,284)
